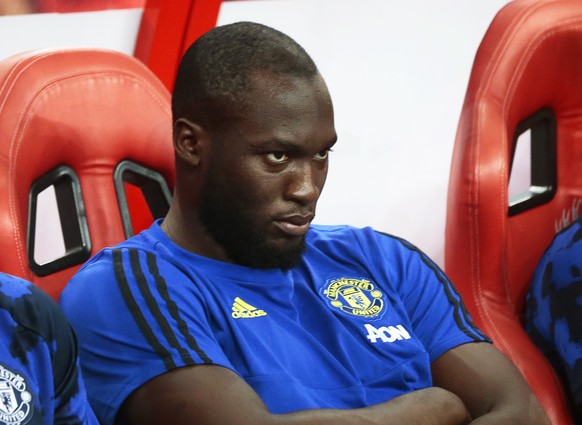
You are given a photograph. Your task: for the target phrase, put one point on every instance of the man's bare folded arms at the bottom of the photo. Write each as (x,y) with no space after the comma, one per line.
(472,380)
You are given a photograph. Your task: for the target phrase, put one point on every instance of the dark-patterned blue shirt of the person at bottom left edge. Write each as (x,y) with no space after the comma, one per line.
(40,380)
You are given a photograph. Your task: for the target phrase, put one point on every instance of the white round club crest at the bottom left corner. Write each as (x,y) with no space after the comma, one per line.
(15,399)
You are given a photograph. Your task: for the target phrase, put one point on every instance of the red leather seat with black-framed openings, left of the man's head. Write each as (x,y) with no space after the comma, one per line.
(91,131)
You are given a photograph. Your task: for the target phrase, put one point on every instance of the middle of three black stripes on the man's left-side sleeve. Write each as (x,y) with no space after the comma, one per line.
(154,308)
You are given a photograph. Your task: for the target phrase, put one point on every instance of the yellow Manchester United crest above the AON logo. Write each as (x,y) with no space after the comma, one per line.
(357,297)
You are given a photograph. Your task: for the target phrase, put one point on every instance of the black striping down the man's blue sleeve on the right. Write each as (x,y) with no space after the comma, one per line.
(460,314)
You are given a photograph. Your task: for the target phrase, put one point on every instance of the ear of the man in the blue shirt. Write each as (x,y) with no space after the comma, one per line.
(191,141)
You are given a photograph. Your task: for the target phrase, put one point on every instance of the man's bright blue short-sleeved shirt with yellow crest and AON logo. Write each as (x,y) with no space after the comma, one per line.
(358,322)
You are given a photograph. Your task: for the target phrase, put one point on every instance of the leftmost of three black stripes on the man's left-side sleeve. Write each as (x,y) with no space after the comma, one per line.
(136,312)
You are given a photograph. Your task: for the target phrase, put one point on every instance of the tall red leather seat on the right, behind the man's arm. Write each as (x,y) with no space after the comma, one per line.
(526,79)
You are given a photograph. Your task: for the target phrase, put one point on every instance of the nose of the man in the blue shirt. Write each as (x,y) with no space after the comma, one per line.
(306,182)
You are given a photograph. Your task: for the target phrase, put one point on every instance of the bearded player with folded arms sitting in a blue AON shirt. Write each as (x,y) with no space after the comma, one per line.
(234,309)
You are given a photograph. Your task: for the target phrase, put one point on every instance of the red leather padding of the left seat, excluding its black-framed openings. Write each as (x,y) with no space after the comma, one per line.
(86,110)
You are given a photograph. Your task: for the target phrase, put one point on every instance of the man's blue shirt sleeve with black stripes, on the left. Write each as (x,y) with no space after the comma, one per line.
(149,320)
